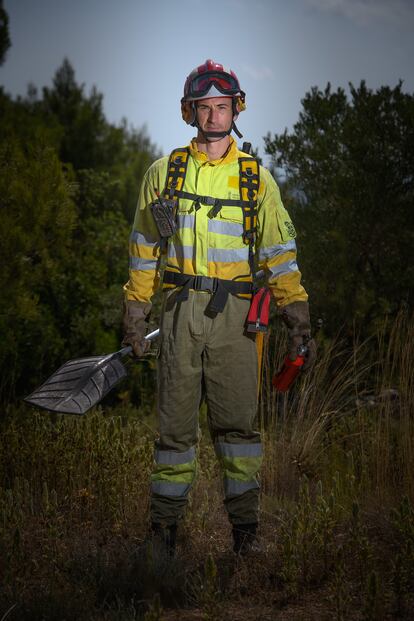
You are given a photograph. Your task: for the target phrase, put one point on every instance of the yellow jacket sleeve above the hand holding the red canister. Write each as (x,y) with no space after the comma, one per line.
(276,246)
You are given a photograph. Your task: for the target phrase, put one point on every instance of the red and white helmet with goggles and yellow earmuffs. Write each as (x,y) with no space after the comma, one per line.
(211,80)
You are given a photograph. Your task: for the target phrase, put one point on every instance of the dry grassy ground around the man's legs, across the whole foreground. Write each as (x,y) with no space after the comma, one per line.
(337,517)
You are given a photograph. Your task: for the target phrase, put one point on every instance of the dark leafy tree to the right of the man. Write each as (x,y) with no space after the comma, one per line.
(348,166)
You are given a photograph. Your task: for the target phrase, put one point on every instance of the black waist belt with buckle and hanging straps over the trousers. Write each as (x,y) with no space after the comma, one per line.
(217,286)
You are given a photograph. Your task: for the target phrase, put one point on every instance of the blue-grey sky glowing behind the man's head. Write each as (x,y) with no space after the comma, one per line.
(138,53)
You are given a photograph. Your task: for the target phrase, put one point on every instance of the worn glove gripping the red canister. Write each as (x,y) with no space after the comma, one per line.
(296,317)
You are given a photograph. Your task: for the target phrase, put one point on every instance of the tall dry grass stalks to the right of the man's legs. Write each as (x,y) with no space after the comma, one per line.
(352,414)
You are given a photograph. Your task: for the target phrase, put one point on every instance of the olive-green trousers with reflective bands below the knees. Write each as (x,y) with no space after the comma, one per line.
(211,357)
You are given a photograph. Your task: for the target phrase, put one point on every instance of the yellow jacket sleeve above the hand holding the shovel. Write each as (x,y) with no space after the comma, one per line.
(144,242)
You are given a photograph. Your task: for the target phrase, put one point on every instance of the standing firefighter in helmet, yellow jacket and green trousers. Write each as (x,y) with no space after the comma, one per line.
(228,221)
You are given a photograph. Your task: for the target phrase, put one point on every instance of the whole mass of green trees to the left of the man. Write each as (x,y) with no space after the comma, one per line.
(68,186)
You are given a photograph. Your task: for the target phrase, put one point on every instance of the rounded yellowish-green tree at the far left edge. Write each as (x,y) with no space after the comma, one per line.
(37,219)
